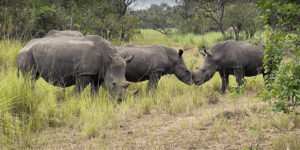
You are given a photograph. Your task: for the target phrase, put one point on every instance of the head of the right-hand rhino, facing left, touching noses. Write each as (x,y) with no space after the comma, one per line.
(206,71)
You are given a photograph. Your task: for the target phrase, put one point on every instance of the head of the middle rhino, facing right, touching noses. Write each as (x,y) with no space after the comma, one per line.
(181,71)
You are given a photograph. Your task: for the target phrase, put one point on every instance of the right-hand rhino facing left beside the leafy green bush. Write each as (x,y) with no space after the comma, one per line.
(238,58)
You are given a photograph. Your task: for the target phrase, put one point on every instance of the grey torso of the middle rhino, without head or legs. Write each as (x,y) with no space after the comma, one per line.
(146,60)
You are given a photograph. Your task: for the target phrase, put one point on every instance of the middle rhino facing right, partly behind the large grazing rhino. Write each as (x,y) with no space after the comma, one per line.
(151,63)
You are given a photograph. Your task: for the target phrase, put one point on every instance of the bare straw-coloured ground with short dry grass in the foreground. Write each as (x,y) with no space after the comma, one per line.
(204,128)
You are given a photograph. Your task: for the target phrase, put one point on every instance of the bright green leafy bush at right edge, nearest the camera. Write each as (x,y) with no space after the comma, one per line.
(285,89)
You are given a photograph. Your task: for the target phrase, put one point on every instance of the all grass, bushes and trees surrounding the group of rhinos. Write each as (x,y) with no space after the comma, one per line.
(176,116)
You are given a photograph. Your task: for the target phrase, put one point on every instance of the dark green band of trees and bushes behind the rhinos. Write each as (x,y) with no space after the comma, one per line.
(118,20)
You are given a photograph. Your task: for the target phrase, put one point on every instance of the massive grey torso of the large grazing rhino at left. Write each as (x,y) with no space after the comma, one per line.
(60,60)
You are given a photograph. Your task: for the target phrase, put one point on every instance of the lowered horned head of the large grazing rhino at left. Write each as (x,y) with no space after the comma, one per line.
(114,79)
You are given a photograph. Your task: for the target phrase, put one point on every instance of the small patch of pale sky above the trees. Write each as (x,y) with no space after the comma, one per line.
(147,3)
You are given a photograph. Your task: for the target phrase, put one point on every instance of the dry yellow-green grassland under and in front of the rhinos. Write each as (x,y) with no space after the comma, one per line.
(176,116)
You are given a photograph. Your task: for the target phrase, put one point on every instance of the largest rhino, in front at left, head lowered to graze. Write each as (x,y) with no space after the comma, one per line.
(64,61)
